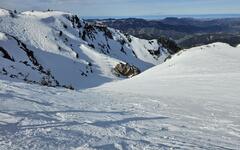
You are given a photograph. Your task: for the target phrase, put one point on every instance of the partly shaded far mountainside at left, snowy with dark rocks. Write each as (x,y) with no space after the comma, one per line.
(71,51)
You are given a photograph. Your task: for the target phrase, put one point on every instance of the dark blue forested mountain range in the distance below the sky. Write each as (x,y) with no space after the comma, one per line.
(186,32)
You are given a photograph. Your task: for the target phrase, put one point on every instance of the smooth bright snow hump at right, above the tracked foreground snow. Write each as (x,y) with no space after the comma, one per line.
(213,68)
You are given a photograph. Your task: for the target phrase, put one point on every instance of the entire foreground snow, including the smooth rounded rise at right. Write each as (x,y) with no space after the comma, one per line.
(189,102)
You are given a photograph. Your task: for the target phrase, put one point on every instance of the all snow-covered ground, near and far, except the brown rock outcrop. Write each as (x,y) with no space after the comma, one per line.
(191,101)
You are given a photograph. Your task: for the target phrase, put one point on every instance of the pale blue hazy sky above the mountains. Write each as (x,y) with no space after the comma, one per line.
(129,7)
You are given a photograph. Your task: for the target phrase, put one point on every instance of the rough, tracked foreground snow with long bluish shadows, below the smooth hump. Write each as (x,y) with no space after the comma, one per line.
(33,117)
